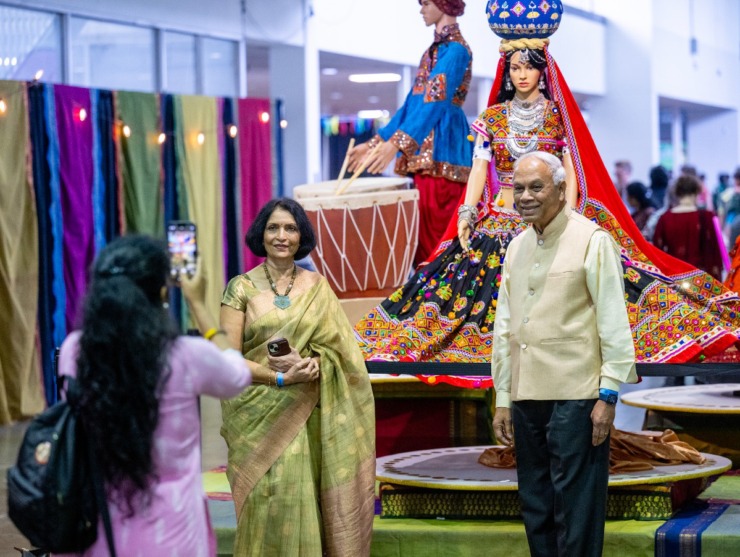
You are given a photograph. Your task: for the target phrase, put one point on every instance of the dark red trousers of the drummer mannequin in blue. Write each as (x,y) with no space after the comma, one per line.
(438,202)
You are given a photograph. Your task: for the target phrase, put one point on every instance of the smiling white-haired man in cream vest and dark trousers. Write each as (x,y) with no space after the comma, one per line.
(562,348)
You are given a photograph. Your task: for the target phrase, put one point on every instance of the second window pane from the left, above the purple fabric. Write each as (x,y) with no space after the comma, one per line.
(112,56)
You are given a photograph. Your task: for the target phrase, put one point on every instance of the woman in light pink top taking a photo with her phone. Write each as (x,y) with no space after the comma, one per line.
(139,382)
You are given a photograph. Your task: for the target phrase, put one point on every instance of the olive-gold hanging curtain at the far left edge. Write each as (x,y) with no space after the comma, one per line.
(20,378)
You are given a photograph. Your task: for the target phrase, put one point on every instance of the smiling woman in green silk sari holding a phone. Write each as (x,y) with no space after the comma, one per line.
(301,439)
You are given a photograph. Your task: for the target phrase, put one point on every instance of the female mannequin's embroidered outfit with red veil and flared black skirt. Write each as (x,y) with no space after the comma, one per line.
(445,312)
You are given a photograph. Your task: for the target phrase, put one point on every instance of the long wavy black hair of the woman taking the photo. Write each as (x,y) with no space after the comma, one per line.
(121,366)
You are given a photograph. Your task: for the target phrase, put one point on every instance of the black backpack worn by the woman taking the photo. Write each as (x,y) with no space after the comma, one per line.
(54,490)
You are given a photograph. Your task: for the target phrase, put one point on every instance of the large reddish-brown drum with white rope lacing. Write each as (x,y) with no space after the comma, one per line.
(365,238)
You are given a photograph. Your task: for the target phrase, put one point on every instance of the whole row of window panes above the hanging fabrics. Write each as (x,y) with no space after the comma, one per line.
(111,55)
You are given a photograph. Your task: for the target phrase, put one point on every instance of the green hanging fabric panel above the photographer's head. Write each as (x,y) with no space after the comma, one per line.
(141,162)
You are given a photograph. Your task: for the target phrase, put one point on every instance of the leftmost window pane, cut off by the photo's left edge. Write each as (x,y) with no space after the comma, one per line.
(30,41)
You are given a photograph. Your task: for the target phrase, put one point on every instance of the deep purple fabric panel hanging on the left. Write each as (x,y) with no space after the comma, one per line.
(76,183)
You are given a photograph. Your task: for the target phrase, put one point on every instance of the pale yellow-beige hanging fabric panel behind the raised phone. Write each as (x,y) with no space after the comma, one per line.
(197,152)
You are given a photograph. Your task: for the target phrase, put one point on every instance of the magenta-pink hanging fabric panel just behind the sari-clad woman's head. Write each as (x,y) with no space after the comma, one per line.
(256,164)
